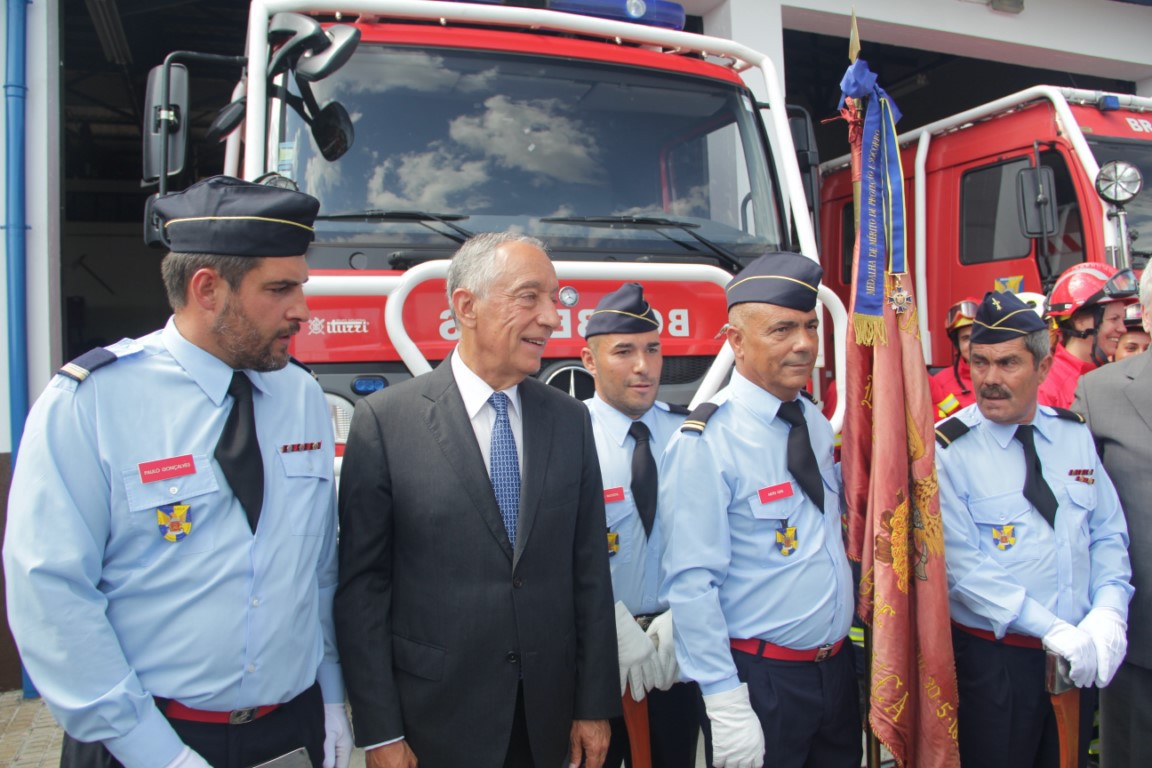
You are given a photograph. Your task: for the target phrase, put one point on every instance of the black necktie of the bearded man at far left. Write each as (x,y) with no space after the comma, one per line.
(239,451)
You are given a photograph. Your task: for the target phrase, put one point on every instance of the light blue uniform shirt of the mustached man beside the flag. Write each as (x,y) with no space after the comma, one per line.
(1009,571)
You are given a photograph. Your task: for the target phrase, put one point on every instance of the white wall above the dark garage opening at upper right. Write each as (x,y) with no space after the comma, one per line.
(1087,37)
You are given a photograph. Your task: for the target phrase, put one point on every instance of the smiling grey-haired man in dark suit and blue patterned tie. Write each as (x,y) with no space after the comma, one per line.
(475,600)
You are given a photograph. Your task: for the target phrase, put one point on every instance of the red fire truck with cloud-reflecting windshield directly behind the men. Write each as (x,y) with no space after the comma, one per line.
(635,150)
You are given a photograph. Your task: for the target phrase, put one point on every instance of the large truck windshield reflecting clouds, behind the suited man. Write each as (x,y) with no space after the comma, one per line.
(583,155)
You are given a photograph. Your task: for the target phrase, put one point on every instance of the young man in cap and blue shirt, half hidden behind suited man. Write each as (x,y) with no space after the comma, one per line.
(632,430)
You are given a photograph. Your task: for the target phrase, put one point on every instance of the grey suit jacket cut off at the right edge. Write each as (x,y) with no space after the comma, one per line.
(1117,402)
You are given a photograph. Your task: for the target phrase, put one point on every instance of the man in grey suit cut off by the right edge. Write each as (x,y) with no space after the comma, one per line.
(1117,402)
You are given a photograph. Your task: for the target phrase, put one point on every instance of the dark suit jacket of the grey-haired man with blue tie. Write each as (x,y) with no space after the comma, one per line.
(438,621)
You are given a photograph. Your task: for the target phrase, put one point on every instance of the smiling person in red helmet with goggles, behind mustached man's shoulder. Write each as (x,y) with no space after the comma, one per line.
(1088,306)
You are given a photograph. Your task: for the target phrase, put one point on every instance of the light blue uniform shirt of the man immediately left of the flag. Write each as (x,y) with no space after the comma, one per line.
(725,495)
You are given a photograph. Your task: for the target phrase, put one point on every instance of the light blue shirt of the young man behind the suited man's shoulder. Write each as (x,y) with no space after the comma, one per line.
(636,564)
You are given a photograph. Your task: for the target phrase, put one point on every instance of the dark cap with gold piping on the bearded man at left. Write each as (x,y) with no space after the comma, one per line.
(228,217)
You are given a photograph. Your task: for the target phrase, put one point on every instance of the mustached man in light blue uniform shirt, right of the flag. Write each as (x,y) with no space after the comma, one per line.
(1036,548)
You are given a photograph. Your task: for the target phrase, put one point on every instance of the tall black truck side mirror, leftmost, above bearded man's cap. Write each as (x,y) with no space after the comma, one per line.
(165,123)
